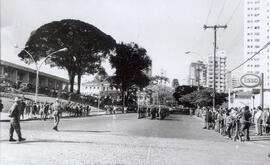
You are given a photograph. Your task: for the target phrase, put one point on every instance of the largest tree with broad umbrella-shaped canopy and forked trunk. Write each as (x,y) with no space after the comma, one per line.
(87,46)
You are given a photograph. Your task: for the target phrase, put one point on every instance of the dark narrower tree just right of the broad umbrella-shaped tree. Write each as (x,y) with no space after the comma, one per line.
(130,62)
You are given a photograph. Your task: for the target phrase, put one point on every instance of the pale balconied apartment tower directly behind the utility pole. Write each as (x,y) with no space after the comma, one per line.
(221,69)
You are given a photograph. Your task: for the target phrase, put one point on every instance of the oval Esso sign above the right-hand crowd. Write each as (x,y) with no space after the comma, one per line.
(250,80)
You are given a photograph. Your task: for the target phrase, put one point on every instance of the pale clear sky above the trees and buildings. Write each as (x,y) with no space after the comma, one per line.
(165,28)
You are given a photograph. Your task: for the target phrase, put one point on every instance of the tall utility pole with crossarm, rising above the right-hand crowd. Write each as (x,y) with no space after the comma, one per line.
(215,27)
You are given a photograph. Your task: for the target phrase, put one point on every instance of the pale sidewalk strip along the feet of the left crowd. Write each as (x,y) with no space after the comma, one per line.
(4,116)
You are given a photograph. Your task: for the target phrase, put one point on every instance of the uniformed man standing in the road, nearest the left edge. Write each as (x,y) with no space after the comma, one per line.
(14,114)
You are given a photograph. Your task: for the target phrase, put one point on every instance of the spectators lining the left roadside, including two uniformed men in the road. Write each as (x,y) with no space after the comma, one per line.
(42,110)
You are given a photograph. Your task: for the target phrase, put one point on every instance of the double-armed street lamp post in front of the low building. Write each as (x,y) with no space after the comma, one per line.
(38,66)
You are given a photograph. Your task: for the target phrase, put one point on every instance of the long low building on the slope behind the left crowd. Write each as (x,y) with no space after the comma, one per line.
(14,73)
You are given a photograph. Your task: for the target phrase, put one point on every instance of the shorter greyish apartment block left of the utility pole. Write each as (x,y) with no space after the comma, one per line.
(197,74)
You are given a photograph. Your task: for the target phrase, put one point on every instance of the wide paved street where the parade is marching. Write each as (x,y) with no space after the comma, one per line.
(124,139)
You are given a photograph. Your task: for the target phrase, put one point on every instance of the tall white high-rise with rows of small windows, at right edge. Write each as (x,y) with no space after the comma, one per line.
(256,35)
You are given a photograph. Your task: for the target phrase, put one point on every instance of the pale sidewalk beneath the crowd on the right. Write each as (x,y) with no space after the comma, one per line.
(263,140)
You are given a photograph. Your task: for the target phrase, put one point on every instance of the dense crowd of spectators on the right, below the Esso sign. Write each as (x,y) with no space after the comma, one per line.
(235,122)
